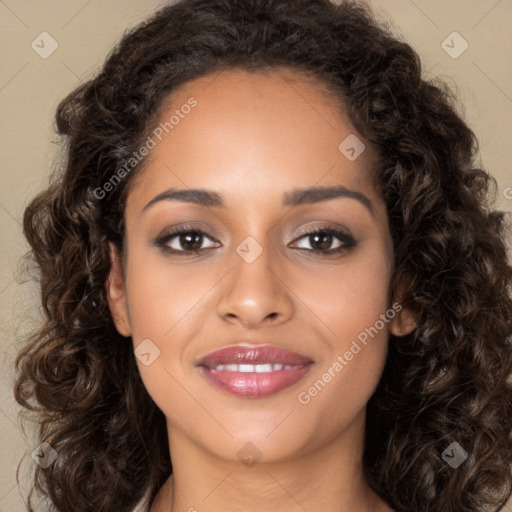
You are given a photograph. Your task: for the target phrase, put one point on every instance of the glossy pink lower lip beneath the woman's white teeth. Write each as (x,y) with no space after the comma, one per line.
(252,384)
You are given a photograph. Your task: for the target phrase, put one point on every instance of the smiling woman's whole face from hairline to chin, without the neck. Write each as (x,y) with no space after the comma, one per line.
(264,150)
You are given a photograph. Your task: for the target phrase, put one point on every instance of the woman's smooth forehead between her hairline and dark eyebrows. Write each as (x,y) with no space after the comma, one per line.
(253,132)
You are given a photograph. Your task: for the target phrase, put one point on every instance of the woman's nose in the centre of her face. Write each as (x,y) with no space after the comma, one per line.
(254,294)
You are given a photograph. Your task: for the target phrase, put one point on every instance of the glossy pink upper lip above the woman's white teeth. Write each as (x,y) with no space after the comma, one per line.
(253,354)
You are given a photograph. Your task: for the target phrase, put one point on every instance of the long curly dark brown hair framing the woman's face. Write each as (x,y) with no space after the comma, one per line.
(444,382)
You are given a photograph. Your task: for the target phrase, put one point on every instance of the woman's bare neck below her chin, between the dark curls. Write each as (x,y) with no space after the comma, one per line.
(329,478)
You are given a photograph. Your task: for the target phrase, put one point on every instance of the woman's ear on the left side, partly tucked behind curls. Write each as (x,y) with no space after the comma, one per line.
(116,295)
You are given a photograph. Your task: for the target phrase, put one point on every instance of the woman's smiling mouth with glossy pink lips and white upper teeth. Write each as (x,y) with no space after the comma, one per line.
(254,371)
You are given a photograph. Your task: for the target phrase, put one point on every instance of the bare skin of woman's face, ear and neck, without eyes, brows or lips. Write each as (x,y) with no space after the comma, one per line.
(252,138)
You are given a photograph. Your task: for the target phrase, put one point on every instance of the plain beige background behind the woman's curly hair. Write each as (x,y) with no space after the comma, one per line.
(31,87)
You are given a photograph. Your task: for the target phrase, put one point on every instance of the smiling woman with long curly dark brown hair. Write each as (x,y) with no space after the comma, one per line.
(271,276)
